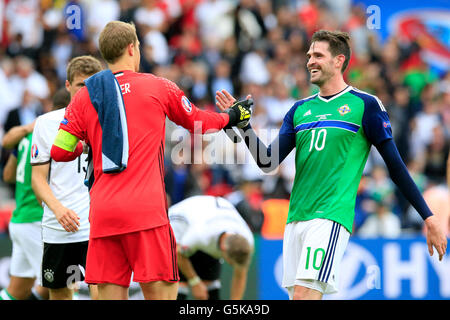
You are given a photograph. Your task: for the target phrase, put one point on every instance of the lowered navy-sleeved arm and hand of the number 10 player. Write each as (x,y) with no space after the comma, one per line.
(401,177)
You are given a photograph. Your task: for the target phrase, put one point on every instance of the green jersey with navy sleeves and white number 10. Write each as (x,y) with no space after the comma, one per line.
(332,139)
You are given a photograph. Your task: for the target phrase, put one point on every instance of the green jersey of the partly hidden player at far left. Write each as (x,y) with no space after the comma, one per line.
(28,208)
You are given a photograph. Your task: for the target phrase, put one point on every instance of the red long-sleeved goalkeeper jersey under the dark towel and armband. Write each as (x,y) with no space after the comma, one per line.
(135,198)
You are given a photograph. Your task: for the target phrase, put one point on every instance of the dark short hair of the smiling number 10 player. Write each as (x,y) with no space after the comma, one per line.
(338,41)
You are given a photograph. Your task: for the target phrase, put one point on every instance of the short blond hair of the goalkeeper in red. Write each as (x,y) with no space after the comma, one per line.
(115,38)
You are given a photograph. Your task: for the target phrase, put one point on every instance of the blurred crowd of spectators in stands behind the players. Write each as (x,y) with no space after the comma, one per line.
(252,47)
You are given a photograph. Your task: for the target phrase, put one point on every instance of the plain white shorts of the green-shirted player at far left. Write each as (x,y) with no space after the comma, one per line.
(27,249)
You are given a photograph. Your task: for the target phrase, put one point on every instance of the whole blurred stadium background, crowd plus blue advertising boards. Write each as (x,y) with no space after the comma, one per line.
(401,53)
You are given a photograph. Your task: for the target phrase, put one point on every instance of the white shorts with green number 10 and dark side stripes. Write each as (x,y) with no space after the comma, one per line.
(312,253)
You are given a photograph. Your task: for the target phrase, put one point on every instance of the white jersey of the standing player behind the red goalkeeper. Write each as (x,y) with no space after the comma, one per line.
(66,180)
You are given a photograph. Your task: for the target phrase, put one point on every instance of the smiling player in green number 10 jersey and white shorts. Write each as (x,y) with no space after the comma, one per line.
(332,133)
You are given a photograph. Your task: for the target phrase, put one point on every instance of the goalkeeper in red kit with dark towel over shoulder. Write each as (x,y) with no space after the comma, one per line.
(121,115)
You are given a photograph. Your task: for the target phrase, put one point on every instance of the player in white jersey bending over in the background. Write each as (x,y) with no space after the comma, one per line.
(208,229)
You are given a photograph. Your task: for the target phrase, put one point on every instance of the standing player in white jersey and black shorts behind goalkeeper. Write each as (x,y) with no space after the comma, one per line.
(65,197)
